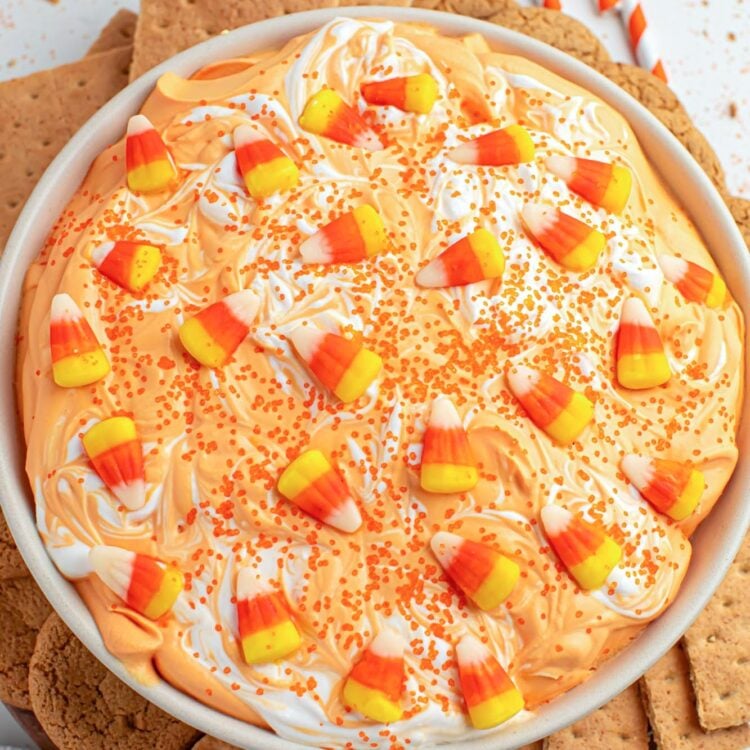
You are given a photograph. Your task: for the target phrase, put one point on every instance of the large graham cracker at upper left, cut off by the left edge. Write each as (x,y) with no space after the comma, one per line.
(40,113)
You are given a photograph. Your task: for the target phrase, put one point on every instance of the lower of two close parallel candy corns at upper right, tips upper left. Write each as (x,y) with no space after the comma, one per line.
(568,241)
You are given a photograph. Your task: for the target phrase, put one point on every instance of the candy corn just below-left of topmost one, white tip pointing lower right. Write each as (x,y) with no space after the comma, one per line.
(327,114)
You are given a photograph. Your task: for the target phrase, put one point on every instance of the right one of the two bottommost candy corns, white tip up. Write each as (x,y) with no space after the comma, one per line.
(490,696)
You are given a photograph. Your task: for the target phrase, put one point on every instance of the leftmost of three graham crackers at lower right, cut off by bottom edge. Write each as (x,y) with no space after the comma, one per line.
(620,725)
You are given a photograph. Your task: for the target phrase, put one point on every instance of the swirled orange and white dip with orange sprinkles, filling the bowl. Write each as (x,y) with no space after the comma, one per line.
(216,440)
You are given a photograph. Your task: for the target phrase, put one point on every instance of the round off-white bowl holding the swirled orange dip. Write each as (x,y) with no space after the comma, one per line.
(715,543)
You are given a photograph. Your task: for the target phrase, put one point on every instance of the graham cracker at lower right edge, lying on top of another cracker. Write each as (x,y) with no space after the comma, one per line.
(718,650)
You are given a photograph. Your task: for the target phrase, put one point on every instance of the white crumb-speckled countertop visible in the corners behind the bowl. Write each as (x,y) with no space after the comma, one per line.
(704,43)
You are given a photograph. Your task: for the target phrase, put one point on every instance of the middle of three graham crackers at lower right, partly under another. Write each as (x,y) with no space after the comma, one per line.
(670,706)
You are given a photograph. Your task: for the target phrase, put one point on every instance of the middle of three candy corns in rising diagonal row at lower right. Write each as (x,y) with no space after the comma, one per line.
(588,553)
